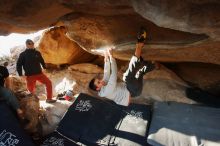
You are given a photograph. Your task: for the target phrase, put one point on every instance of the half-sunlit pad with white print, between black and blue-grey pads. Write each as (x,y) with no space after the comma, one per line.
(132,129)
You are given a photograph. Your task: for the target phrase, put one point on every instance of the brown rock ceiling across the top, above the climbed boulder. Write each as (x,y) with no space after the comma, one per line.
(191,15)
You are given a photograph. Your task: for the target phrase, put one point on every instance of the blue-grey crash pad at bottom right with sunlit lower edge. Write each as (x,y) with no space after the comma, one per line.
(183,124)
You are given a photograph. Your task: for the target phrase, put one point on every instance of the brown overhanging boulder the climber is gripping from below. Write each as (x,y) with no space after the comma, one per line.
(95,33)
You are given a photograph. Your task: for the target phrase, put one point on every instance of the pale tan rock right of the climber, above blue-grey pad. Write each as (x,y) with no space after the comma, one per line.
(165,85)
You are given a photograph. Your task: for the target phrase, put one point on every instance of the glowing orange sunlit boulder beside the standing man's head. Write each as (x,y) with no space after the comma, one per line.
(57,48)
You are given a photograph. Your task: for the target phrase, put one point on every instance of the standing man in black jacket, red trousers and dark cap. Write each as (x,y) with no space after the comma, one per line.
(31,61)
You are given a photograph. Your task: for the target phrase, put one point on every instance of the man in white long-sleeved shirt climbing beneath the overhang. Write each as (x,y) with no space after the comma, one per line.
(133,77)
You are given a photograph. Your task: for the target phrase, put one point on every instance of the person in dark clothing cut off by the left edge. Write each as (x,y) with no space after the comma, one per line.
(6,94)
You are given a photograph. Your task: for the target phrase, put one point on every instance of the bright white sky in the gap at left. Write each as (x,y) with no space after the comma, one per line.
(14,39)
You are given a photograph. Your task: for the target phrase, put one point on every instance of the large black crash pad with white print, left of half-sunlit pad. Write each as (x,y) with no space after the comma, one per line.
(90,120)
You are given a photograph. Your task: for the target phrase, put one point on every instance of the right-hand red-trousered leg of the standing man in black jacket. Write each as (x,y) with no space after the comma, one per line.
(45,80)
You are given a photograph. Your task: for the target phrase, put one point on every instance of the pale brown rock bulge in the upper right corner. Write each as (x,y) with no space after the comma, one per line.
(190,16)
